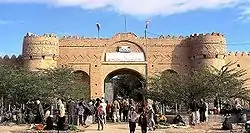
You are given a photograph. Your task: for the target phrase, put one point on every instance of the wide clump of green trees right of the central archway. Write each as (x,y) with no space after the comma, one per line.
(208,83)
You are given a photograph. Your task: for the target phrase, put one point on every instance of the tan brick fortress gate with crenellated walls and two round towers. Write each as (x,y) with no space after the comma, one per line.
(100,59)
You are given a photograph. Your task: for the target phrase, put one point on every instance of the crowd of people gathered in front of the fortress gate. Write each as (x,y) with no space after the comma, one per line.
(62,115)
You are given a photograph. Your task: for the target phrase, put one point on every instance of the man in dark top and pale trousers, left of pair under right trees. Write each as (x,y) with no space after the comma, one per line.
(194,107)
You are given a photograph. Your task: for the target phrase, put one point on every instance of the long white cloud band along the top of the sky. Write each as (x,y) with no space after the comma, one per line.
(145,8)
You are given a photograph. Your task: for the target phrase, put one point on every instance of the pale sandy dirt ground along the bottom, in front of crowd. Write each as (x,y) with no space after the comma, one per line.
(123,128)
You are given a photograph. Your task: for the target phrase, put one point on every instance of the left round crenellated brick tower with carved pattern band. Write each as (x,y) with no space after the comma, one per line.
(40,52)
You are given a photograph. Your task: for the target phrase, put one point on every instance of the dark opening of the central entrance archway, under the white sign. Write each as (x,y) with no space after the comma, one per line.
(124,83)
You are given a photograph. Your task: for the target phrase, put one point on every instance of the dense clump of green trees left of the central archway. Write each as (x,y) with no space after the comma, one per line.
(18,85)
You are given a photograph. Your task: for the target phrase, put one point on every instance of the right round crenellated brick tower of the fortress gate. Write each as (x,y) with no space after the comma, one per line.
(208,50)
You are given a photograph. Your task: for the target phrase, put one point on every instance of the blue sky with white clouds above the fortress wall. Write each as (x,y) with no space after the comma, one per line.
(78,17)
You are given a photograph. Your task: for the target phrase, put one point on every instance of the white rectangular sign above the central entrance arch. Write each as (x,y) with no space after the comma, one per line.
(124,57)
